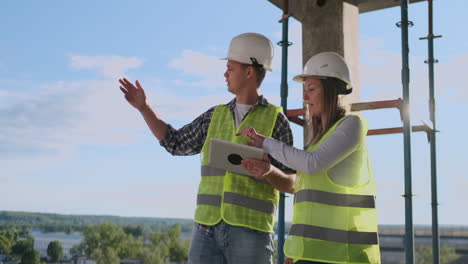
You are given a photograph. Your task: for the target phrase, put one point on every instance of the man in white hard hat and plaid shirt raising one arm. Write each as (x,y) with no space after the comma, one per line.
(235,213)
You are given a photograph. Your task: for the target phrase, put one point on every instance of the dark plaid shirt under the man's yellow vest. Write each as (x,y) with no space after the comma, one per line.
(190,138)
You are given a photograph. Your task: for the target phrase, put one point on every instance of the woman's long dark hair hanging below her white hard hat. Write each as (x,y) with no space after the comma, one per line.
(332,87)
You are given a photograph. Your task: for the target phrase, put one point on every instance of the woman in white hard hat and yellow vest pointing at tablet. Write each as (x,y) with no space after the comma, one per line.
(335,219)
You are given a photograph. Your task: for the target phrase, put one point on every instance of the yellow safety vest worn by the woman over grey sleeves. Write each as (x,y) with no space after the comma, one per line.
(335,223)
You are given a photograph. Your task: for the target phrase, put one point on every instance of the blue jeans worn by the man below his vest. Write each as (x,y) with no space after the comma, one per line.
(227,244)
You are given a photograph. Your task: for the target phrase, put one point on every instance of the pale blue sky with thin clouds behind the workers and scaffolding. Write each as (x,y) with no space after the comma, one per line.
(70,143)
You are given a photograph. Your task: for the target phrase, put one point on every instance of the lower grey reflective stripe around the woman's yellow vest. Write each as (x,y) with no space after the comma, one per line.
(322,233)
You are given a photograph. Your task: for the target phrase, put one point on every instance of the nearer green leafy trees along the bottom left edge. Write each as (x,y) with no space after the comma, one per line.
(105,243)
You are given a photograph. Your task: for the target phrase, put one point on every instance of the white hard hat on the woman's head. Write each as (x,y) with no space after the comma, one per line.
(326,64)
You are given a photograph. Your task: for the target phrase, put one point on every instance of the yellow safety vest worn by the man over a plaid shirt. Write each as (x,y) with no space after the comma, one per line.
(239,200)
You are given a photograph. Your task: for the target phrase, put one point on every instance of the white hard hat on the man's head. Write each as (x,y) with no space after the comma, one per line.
(252,49)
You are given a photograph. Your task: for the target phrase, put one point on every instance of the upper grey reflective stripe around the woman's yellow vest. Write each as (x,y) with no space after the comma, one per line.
(349,200)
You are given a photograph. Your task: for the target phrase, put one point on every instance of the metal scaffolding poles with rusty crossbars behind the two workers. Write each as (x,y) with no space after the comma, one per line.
(402,104)
